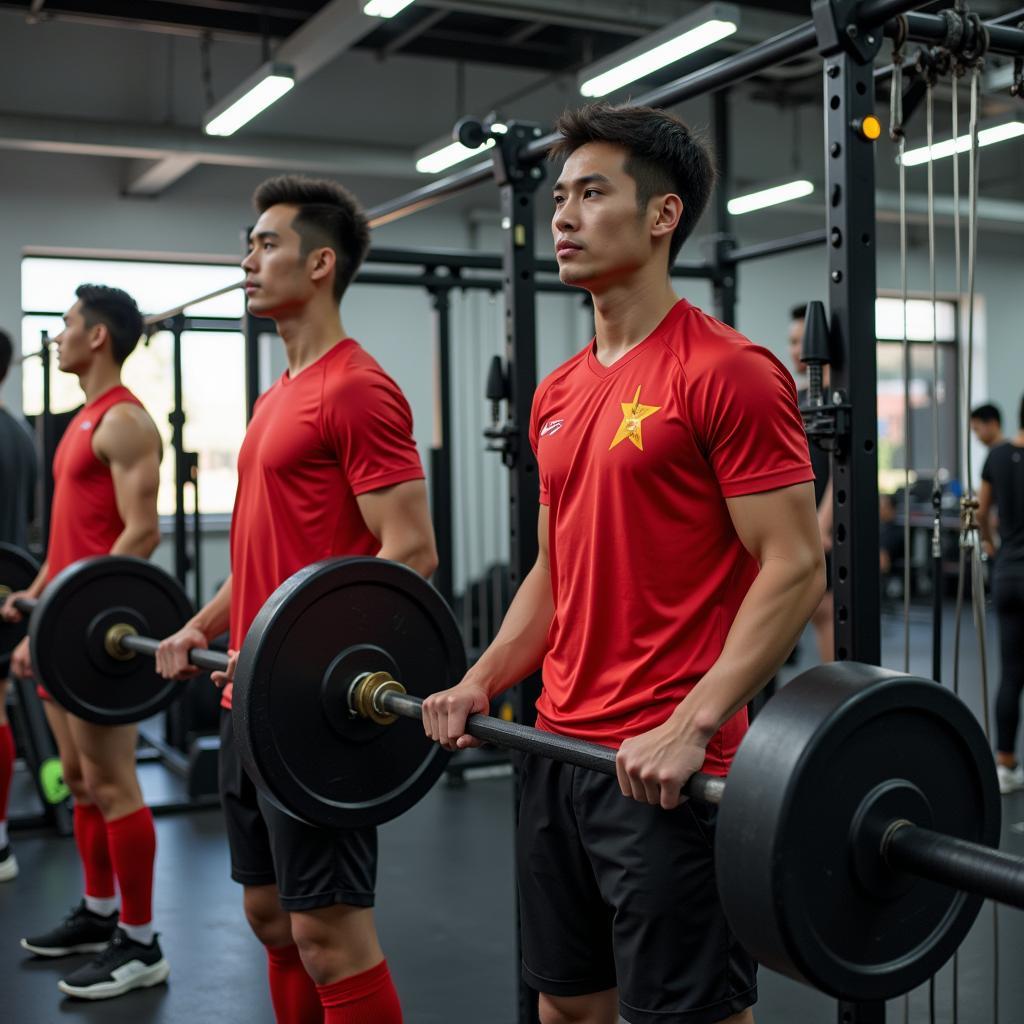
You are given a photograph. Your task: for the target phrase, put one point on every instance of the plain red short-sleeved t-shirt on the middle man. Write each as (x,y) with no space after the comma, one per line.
(340,429)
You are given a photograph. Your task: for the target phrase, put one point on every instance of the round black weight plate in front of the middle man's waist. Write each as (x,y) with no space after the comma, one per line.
(319,630)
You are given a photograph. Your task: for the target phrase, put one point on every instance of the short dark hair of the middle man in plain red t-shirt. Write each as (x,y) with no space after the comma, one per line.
(329,216)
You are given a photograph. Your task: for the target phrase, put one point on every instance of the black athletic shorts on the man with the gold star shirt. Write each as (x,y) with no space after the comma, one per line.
(614,893)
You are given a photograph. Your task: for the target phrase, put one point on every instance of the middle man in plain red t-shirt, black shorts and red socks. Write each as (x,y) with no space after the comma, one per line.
(328,467)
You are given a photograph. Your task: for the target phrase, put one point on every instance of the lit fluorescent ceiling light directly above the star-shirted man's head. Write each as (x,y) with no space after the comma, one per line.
(675,41)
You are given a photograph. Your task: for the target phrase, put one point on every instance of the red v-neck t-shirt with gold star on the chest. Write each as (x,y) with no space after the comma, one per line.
(636,461)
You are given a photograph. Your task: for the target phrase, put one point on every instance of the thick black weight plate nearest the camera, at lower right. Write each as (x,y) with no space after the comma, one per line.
(791,864)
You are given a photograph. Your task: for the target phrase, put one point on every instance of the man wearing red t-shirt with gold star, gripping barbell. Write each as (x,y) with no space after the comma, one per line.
(679,561)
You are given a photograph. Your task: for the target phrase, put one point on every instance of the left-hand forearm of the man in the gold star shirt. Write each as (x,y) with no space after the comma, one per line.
(520,647)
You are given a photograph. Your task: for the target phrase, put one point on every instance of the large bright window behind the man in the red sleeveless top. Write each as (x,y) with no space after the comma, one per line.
(212,360)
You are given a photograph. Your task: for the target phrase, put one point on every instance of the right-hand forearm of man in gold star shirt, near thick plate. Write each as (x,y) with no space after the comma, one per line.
(765,630)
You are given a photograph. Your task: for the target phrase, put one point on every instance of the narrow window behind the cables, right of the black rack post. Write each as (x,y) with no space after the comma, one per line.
(928,392)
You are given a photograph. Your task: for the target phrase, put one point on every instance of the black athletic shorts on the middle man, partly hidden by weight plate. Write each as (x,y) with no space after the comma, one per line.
(312,868)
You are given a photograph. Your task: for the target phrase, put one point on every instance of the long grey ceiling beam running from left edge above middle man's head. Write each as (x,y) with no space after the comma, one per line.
(149,143)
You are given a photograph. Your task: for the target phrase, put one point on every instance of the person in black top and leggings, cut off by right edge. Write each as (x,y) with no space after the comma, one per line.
(1003,492)
